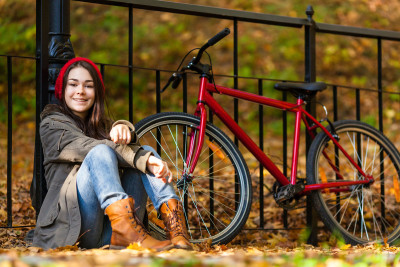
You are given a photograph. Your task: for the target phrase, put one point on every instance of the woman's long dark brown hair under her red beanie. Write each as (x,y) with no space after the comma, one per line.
(96,124)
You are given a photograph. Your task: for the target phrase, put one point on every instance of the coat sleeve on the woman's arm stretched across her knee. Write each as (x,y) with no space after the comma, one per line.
(64,142)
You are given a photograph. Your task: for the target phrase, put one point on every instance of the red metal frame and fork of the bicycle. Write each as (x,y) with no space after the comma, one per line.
(205,99)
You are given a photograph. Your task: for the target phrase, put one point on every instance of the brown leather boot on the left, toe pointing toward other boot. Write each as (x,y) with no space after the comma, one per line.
(127,229)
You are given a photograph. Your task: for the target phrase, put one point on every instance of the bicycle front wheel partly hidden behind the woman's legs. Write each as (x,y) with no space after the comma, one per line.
(217,199)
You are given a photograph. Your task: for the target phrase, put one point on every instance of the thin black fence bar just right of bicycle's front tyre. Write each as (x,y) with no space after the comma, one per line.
(261,141)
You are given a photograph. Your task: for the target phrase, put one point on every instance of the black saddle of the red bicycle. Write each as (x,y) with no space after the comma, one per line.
(301,89)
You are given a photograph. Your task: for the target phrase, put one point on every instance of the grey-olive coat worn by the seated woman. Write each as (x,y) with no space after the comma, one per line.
(64,147)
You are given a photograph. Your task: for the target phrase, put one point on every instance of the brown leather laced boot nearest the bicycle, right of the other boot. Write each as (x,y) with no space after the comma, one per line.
(175,224)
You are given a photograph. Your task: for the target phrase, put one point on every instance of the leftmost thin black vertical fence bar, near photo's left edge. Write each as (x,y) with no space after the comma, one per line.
(9,142)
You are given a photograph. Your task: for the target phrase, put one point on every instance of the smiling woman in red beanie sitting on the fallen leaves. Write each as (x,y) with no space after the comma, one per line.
(94,167)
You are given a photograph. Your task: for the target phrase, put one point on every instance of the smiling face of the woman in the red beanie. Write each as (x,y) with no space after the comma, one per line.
(79,91)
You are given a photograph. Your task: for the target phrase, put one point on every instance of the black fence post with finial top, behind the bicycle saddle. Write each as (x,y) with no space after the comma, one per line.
(310,76)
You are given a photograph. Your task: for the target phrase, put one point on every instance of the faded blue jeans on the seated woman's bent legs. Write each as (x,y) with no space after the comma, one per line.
(100,184)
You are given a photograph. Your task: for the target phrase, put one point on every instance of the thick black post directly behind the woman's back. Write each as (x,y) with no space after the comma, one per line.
(53,48)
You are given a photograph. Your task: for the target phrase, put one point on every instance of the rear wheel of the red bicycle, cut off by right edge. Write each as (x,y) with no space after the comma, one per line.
(359,213)
